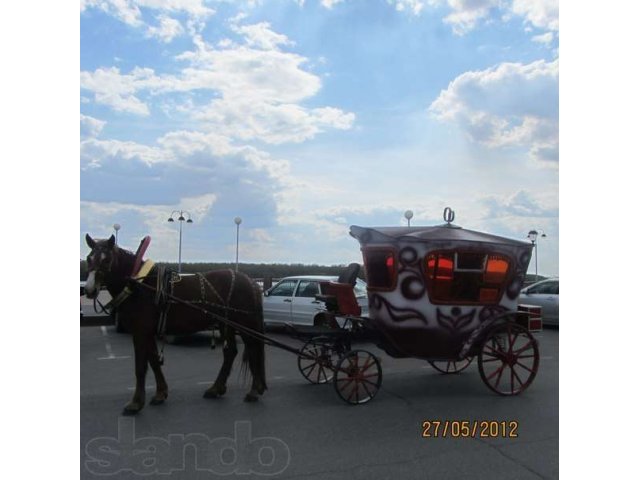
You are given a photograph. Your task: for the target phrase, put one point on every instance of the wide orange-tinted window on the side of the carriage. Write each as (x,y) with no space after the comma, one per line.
(466,277)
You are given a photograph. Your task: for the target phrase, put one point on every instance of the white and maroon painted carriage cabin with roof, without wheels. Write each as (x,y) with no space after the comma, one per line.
(433,289)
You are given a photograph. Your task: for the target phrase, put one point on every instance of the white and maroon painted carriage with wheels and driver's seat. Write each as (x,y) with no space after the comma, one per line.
(444,294)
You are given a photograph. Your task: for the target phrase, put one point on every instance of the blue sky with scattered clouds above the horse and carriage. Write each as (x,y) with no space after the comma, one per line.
(305,117)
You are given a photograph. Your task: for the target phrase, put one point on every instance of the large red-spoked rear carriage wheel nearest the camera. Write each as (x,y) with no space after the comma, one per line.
(509,359)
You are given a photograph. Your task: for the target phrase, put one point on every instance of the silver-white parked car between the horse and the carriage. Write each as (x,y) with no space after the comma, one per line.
(293,299)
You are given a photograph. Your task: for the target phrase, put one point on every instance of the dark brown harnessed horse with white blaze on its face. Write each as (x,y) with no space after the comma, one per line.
(222,294)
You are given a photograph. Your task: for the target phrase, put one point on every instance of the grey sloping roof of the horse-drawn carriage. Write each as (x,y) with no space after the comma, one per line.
(446,232)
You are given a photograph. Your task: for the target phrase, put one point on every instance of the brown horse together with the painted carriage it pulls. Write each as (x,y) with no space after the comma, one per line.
(443,293)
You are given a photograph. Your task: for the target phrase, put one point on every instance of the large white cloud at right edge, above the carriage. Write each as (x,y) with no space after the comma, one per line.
(508,105)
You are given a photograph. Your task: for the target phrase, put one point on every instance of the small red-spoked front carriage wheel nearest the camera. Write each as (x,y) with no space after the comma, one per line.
(358,377)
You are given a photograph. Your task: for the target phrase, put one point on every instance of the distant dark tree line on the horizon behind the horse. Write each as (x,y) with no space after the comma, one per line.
(254,270)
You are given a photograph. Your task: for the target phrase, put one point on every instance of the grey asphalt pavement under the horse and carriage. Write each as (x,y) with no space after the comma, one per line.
(300,430)
